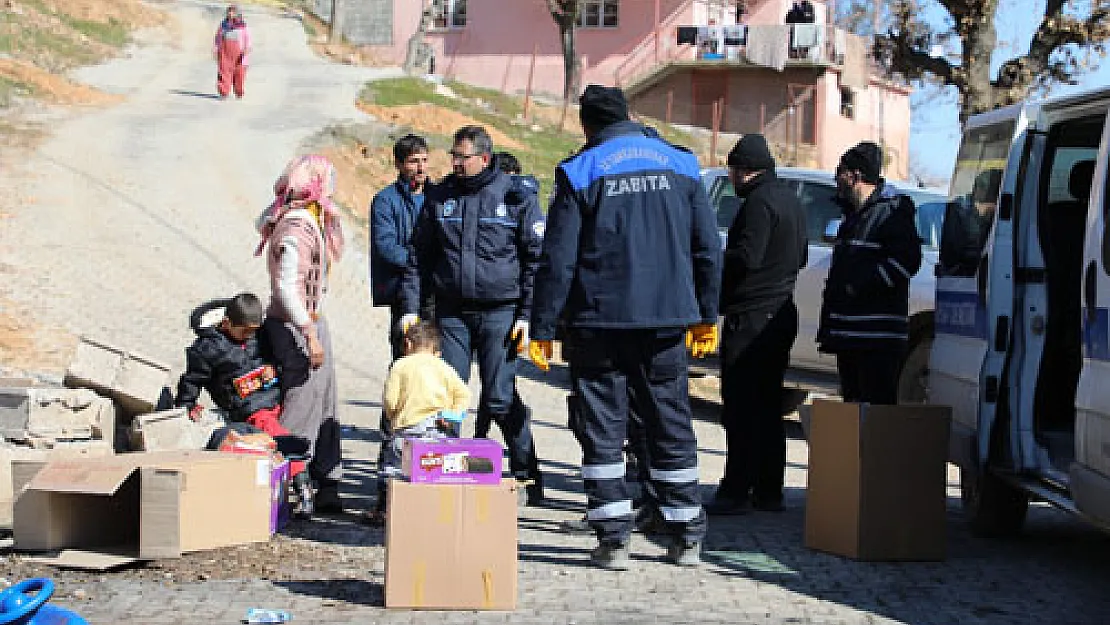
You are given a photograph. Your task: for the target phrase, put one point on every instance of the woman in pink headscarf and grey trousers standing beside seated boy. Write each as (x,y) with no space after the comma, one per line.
(302,236)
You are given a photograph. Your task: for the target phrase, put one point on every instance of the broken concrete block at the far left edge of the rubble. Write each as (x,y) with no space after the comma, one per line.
(56,415)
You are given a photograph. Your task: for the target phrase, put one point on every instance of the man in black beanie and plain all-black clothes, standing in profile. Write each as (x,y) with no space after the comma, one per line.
(766,250)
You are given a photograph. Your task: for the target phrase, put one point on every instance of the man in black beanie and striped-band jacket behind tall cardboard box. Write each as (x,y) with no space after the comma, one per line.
(865,312)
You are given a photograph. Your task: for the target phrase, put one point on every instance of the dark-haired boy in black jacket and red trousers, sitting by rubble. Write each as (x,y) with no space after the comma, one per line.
(234,365)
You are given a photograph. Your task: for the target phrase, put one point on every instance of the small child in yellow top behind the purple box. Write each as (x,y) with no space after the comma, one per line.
(423,397)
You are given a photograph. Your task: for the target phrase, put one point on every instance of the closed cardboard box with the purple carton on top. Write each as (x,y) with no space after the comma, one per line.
(451,547)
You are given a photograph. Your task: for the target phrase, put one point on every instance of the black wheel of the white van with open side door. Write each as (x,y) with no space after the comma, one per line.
(993,507)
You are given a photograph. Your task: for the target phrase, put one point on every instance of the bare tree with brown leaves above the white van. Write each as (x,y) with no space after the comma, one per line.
(1069,39)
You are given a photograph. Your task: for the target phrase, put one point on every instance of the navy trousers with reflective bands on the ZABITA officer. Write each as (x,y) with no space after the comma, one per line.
(612,369)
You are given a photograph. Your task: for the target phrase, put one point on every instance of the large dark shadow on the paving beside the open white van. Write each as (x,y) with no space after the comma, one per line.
(983,581)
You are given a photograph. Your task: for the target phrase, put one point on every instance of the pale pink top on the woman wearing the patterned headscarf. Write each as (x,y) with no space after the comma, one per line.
(298,268)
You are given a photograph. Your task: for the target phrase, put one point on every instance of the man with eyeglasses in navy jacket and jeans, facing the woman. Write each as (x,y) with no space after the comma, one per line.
(476,250)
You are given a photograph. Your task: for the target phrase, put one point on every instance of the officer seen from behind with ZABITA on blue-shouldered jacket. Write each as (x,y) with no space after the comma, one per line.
(631,263)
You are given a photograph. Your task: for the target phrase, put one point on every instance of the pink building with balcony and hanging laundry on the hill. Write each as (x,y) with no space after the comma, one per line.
(813,102)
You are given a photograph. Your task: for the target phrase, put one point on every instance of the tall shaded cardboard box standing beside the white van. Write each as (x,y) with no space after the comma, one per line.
(877,481)
